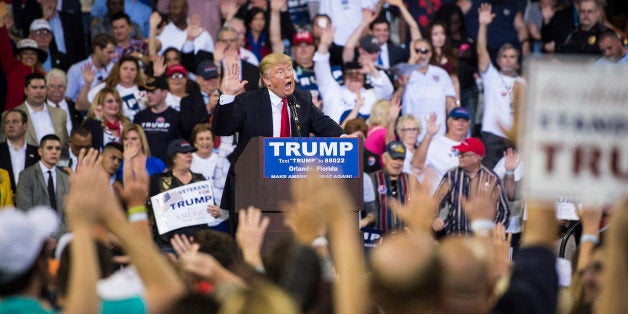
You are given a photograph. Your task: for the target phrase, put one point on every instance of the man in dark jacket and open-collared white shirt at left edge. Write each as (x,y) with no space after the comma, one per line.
(15,147)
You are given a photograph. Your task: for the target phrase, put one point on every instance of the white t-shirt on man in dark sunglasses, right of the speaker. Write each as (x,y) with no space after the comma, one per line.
(427,93)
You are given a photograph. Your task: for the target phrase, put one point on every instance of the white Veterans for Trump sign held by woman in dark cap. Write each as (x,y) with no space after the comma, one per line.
(183,206)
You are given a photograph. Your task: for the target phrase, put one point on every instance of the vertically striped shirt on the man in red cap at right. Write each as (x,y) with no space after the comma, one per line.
(459,184)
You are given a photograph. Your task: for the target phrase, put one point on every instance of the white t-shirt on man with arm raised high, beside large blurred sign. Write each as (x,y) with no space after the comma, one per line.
(498,89)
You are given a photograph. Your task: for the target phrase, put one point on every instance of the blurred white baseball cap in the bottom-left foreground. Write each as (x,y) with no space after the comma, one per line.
(22,236)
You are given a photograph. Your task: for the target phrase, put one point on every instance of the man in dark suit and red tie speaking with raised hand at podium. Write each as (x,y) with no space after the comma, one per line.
(264,112)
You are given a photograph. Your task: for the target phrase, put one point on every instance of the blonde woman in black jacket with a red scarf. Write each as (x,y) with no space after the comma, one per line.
(109,127)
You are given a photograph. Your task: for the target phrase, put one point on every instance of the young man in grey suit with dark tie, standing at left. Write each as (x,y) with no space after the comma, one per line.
(43,183)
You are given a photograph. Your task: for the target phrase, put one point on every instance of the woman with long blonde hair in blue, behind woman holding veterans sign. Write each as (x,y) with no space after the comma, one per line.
(137,152)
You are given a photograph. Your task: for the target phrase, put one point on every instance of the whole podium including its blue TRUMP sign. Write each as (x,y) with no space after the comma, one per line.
(267,167)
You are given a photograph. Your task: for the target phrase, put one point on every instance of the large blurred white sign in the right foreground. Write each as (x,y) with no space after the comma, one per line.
(575,131)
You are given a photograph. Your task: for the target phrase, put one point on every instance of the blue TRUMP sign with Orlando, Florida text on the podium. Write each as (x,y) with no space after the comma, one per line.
(294,157)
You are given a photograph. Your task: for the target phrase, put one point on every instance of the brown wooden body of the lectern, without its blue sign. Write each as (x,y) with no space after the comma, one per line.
(252,188)
